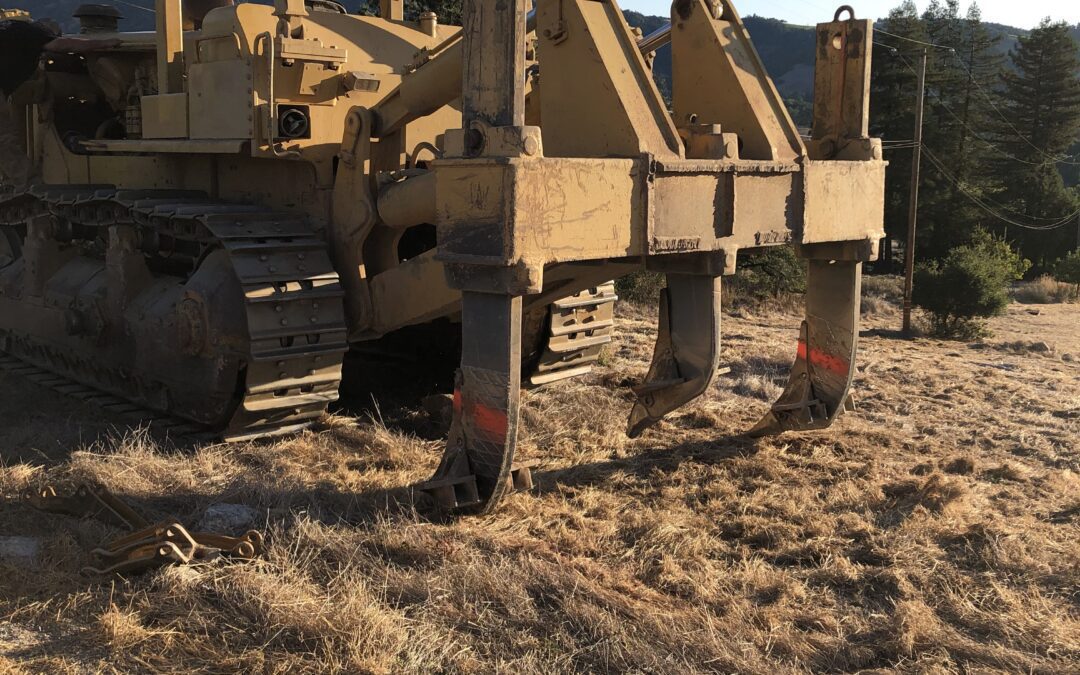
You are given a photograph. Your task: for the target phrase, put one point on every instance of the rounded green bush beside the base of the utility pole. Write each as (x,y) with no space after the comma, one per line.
(968,286)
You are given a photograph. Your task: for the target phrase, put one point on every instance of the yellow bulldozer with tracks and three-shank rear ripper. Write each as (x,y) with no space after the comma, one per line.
(223,213)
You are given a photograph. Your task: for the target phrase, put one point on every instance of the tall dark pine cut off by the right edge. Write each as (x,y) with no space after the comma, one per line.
(1041,103)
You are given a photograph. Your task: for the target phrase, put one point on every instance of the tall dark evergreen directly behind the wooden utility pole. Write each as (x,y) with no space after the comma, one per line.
(960,69)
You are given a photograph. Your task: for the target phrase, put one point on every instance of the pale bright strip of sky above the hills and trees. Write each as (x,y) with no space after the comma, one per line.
(1025,15)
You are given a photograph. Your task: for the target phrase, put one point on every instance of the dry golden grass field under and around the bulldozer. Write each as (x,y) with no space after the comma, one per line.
(936,530)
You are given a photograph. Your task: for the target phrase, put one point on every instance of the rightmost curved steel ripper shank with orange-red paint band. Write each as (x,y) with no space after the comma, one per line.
(825,367)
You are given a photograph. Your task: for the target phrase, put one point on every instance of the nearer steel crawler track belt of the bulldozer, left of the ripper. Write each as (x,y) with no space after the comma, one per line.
(291,302)
